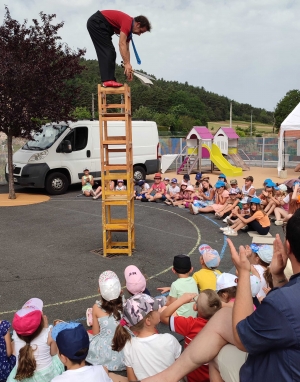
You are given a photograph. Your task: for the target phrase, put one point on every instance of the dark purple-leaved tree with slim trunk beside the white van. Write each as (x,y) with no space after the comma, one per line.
(36,72)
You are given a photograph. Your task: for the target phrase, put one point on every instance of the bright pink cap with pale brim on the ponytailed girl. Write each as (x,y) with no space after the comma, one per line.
(28,319)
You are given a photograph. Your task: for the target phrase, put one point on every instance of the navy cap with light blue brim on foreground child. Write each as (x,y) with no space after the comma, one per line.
(71,337)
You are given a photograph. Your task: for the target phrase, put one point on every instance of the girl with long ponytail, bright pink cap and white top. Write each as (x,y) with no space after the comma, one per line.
(36,351)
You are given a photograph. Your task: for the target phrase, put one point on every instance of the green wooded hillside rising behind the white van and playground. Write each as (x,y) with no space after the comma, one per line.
(169,103)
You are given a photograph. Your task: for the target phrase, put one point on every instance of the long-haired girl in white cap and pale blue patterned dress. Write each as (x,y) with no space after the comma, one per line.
(106,315)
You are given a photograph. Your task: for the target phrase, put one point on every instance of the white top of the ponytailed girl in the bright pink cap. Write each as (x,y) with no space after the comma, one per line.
(41,348)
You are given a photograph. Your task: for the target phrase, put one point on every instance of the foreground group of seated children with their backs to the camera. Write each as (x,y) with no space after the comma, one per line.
(123,333)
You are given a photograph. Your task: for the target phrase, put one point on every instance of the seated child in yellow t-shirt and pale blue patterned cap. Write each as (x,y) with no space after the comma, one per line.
(209,259)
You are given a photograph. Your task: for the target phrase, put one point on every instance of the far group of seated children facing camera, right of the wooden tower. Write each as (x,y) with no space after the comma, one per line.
(240,208)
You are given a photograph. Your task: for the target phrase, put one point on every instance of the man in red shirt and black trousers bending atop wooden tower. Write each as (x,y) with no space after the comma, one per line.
(101,26)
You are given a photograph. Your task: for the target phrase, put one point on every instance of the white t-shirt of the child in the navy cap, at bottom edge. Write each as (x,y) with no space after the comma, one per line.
(94,373)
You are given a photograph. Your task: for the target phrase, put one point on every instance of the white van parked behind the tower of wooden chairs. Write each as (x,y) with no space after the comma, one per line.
(59,153)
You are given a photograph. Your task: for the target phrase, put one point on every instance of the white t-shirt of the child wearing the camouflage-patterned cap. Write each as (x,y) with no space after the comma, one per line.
(151,355)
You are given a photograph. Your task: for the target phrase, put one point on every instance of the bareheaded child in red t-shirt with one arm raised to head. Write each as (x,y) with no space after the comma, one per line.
(207,303)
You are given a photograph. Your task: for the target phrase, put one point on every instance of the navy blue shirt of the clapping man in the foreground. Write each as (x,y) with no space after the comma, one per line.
(271,336)
